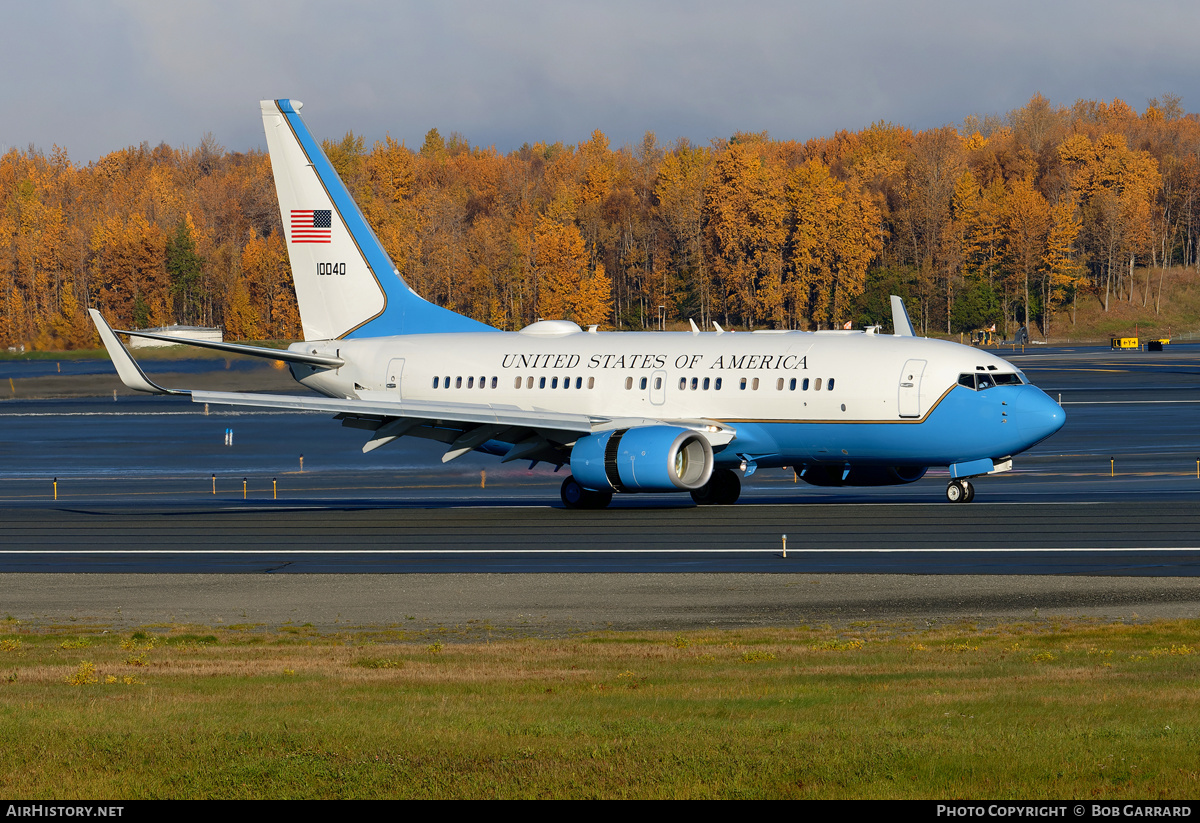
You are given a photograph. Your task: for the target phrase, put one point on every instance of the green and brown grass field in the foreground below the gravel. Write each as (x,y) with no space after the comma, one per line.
(1046,710)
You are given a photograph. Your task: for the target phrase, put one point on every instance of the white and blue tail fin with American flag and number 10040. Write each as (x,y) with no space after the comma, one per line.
(346,284)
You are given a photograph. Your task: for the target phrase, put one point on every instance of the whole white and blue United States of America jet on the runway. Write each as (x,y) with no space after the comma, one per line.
(628,412)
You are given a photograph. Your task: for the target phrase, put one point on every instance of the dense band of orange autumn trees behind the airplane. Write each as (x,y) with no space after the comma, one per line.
(1000,220)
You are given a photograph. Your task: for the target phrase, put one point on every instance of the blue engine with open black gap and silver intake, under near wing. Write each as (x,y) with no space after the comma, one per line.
(649,459)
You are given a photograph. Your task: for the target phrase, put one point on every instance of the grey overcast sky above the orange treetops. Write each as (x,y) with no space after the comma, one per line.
(103,75)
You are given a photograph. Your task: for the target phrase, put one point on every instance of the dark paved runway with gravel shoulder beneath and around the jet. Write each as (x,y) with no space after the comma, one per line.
(1109,503)
